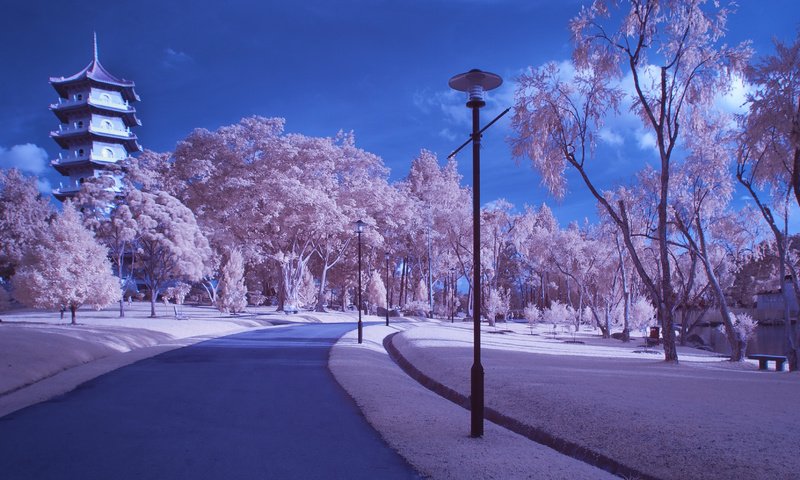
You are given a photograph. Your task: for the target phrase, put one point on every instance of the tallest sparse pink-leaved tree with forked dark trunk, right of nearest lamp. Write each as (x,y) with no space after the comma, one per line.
(677,62)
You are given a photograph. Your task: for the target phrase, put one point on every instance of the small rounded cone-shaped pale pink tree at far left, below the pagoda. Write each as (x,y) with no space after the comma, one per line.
(65,267)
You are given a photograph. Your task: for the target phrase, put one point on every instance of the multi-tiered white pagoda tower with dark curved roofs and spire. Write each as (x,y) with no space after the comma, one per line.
(96,113)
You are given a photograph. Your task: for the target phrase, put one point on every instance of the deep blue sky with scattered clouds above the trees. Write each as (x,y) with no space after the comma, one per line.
(376,67)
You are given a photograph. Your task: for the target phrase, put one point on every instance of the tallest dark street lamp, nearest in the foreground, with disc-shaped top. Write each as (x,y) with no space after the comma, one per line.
(475,83)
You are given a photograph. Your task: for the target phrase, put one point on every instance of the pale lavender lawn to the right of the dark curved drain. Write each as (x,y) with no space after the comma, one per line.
(704,418)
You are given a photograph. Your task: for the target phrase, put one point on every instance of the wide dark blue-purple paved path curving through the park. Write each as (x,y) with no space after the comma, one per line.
(256,405)
